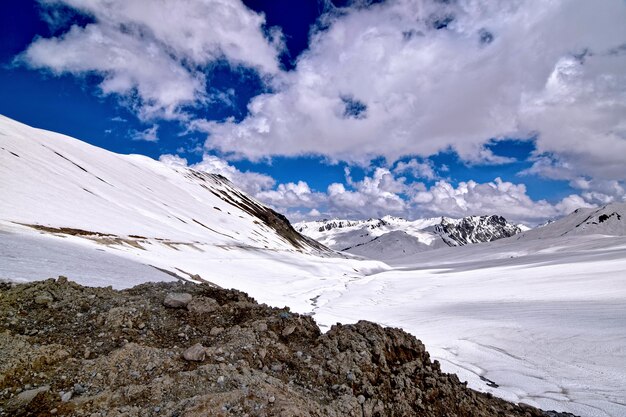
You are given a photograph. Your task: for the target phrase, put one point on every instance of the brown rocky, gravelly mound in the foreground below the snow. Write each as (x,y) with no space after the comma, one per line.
(195,350)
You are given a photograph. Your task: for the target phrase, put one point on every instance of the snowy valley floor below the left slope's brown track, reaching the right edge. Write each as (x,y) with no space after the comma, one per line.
(530,322)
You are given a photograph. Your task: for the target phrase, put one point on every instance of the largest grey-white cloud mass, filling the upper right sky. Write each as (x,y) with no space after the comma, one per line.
(436,75)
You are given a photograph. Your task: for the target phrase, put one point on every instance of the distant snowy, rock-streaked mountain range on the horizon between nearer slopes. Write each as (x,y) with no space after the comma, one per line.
(368,237)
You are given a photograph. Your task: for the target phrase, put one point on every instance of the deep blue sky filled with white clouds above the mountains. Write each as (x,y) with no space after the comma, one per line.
(349,109)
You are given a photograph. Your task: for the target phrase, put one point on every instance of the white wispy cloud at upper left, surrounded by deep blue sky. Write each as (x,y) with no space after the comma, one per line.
(153,54)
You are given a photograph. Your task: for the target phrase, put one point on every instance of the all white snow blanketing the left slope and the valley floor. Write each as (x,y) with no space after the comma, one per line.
(541,314)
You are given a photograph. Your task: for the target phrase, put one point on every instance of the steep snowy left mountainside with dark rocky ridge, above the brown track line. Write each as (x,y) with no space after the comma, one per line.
(53,180)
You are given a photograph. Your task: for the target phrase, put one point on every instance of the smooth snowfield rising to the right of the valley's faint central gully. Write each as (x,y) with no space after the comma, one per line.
(539,317)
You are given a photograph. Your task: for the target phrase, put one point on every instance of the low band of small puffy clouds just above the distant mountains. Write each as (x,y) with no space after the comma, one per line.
(383,192)
